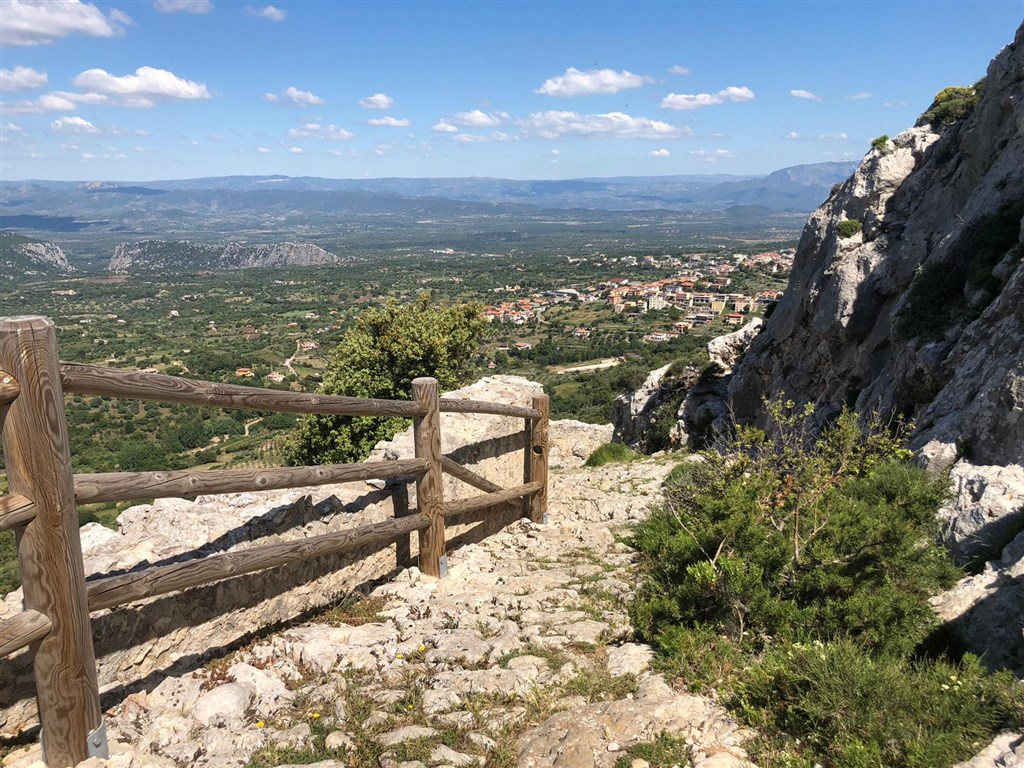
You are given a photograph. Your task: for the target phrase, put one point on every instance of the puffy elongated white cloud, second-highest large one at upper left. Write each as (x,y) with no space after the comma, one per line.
(141,91)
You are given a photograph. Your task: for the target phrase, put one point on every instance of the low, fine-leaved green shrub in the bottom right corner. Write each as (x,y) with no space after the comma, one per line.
(850,709)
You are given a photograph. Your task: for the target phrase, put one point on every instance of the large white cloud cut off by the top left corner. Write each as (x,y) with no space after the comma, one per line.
(42,22)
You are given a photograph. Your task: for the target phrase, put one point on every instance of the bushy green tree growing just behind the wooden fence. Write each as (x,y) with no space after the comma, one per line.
(379,358)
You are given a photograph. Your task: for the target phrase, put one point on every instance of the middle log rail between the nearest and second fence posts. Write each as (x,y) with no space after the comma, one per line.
(122,487)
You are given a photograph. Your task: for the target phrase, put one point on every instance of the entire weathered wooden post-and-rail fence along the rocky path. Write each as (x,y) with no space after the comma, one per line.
(44,494)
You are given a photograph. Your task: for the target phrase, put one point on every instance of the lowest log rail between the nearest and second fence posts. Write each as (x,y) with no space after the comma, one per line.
(107,593)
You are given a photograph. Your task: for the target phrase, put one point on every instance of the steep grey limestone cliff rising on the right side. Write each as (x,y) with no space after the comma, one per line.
(923,311)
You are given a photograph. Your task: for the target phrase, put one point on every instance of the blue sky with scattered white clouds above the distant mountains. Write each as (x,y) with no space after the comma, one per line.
(161,90)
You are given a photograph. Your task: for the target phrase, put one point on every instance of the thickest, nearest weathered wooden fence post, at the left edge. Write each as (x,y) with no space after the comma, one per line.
(35,446)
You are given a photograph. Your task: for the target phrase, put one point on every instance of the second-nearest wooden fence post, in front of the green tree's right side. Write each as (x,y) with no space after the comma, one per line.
(430,494)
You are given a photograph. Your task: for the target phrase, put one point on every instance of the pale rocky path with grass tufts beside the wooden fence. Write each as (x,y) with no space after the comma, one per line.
(521,657)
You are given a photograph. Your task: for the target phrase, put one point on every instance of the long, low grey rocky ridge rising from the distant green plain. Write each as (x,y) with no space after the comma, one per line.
(183,254)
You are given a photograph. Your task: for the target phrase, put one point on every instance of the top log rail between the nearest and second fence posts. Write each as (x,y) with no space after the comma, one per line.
(107,382)
